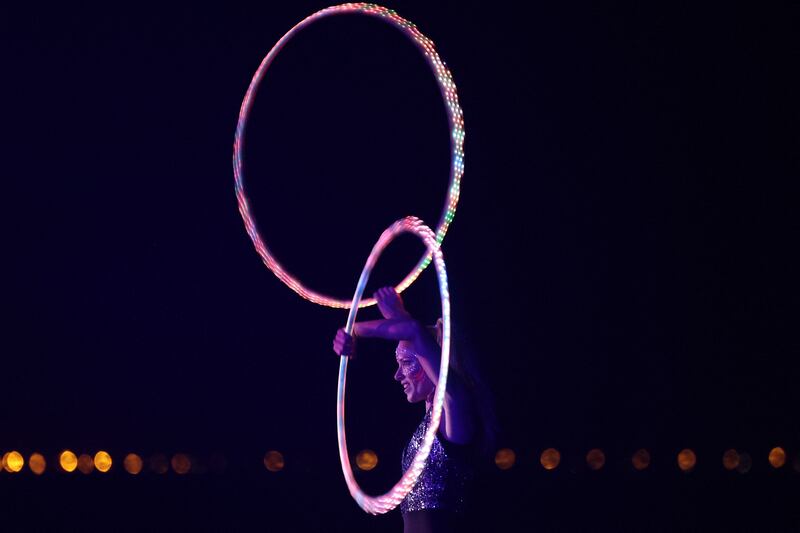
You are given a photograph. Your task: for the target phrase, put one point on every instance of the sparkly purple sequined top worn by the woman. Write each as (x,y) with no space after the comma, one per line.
(443,482)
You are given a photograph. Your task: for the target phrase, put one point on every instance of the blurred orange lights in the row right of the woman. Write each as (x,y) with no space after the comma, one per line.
(640,460)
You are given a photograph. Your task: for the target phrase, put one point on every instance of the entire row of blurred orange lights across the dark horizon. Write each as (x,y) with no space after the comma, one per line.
(366,460)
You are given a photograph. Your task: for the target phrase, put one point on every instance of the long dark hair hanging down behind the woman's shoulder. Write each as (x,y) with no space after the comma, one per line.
(465,365)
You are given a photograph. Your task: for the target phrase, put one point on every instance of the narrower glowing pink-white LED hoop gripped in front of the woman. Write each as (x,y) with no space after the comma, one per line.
(390,500)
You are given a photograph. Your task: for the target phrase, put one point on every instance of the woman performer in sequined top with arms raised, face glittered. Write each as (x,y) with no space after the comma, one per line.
(466,425)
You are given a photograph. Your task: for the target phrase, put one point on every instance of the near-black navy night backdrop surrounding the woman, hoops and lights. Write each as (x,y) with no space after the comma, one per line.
(622,260)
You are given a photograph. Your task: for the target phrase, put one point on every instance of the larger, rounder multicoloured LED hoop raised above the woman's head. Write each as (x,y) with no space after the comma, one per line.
(454,113)
